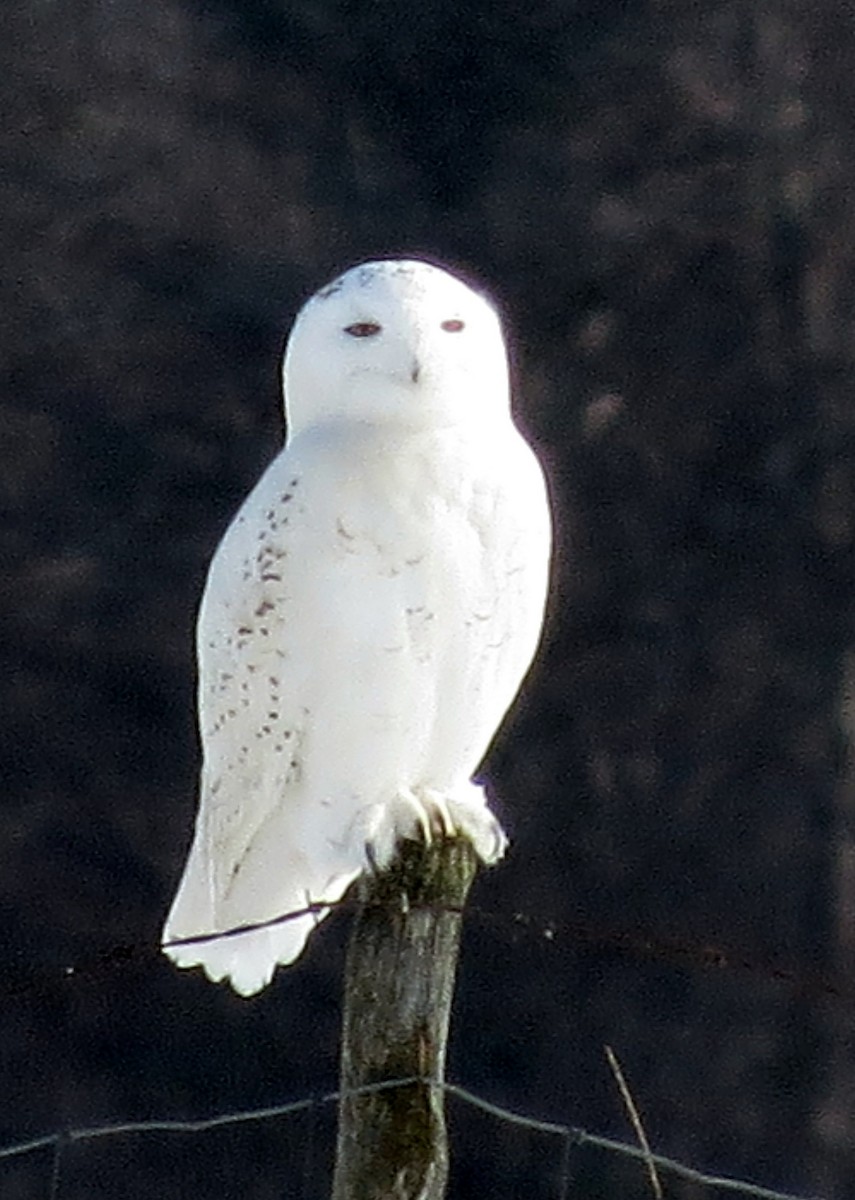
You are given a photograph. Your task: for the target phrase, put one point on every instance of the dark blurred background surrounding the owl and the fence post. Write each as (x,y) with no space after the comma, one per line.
(660,195)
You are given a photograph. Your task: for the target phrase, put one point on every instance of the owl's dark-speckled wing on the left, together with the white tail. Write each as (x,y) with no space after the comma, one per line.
(255,854)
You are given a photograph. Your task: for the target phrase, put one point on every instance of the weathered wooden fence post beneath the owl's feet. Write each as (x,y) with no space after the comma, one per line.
(393,1144)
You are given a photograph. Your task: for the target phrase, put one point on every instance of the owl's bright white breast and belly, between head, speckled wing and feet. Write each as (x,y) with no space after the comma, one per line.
(434,597)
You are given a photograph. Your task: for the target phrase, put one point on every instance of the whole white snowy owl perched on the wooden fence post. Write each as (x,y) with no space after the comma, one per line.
(368,617)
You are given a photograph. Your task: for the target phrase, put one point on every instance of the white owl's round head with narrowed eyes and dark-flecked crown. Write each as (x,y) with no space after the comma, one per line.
(398,343)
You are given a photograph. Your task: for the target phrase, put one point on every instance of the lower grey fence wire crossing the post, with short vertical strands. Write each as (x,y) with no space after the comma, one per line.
(572,1137)
